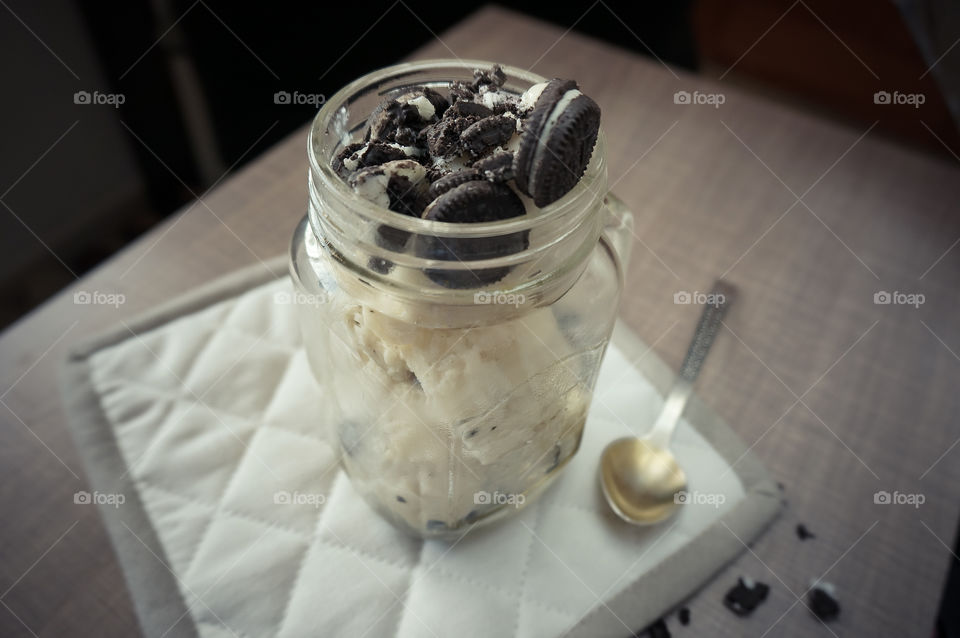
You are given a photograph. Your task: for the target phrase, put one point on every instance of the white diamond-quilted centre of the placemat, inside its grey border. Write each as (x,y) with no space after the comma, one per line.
(216,413)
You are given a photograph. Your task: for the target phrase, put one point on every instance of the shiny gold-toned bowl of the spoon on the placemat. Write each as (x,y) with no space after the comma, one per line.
(641,482)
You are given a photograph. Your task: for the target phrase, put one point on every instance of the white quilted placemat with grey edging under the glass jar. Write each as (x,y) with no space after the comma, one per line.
(237,520)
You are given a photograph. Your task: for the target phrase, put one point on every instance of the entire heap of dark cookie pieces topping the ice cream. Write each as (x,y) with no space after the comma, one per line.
(420,146)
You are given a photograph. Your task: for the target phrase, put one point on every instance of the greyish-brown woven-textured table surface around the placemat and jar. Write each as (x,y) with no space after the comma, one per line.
(841,397)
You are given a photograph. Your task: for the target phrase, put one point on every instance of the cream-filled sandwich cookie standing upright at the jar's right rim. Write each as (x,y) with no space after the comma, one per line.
(557,142)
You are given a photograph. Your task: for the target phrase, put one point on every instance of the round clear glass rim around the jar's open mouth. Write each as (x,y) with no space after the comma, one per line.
(329,179)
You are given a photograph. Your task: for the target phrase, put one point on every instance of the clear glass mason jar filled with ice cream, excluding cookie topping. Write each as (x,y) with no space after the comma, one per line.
(454,406)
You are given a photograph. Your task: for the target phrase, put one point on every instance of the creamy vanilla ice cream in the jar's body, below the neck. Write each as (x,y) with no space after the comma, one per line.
(497,407)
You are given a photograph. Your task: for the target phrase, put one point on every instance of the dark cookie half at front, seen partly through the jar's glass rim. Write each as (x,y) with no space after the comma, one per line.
(472,202)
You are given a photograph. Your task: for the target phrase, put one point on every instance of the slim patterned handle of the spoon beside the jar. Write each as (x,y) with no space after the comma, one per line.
(719,300)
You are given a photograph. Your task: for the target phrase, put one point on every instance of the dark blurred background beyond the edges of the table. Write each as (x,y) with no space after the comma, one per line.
(80,181)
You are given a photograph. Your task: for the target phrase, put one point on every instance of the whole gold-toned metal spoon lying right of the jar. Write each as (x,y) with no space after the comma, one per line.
(640,477)
